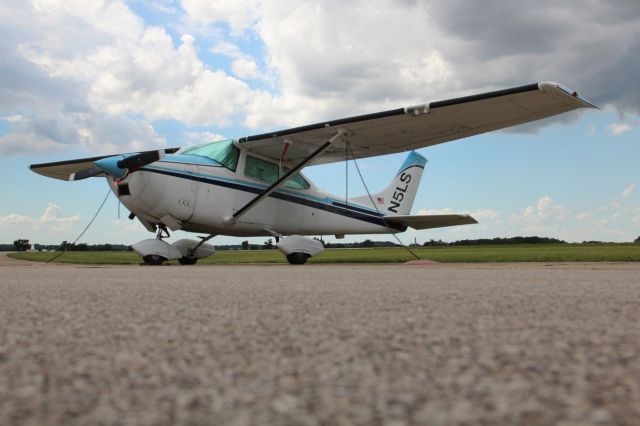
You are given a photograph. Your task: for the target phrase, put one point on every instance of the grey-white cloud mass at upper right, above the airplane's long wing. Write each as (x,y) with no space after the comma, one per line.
(323,66)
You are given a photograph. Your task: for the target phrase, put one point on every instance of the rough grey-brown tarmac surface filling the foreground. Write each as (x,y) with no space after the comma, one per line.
(436,344)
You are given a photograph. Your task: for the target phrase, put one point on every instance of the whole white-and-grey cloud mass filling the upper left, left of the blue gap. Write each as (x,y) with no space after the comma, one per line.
(92,75)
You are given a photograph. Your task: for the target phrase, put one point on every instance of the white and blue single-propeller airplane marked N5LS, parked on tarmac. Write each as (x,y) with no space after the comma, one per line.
(253,186)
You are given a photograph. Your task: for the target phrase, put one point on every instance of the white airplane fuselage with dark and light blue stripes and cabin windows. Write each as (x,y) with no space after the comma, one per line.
(196,193)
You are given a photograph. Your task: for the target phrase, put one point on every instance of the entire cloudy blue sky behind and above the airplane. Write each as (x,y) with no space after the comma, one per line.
(81,78)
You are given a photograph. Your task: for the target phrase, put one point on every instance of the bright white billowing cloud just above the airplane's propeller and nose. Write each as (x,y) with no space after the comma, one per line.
(152,77)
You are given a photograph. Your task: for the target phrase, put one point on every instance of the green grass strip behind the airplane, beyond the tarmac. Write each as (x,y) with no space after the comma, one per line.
(489,253)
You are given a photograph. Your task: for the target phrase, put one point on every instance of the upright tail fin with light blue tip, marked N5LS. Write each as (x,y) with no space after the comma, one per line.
(397,198)
